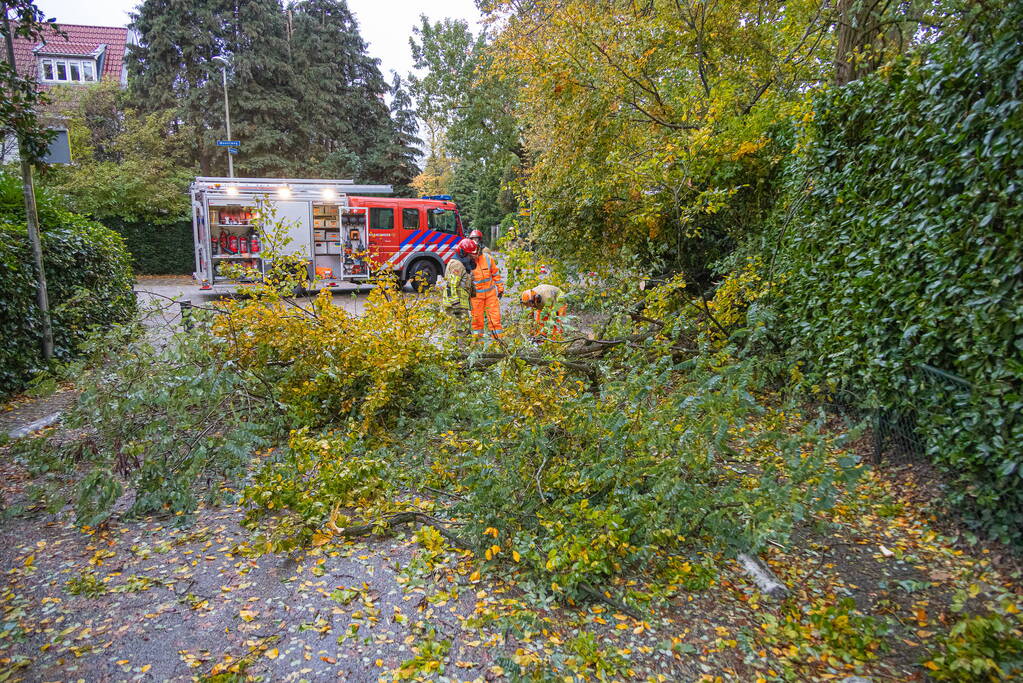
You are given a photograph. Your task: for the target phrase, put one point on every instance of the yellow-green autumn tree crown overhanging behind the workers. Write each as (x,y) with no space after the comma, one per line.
(651,127)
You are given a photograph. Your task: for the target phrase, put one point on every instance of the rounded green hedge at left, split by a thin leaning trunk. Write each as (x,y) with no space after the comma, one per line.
(90,281)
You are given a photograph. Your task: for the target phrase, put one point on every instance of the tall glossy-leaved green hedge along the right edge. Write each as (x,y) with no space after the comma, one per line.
(909,250)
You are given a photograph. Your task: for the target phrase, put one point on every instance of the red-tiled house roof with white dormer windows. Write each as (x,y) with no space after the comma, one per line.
(85,55)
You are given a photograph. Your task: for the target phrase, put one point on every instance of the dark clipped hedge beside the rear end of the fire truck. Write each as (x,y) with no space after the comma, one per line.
(164,249)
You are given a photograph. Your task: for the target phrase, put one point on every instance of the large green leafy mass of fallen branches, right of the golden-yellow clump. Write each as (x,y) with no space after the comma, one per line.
(586,486)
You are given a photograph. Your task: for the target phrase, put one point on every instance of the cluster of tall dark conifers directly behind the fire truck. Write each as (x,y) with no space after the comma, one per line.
(306,98)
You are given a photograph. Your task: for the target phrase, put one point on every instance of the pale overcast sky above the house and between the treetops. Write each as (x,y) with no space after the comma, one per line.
(386,25)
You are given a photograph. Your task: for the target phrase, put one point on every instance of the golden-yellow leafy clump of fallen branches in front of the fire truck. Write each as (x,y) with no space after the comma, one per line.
(382,365)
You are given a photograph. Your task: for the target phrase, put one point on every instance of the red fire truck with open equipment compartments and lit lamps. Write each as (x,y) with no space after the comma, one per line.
(343,233)
